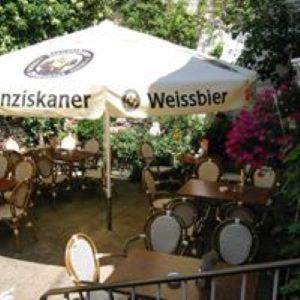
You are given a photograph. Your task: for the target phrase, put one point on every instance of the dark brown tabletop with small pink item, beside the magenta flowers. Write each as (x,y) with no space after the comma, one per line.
(212,191)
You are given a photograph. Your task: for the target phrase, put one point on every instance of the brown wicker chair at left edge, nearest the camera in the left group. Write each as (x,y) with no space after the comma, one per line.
(16,211)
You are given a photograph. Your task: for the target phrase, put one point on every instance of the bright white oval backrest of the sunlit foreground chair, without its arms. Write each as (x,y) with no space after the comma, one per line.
(80,259)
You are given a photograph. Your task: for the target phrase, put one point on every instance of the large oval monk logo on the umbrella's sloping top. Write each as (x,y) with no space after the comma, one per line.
(58,63)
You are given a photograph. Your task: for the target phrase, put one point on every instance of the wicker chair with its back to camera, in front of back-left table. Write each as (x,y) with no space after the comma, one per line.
(48,176)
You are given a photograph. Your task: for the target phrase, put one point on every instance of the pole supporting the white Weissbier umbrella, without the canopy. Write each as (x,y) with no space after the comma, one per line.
(108,169)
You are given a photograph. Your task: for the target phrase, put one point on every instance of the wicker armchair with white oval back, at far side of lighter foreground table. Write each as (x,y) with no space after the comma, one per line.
(164,232)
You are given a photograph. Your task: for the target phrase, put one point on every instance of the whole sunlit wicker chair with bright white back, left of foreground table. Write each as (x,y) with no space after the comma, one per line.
(82,262)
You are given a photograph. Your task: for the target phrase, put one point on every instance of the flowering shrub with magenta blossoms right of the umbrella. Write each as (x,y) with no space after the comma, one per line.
(257,136)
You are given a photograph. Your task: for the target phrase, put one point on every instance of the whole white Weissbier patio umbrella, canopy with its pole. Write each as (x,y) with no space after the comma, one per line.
(108,68)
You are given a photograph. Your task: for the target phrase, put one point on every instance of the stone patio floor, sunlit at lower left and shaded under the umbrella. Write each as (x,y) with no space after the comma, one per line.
(76,211)
